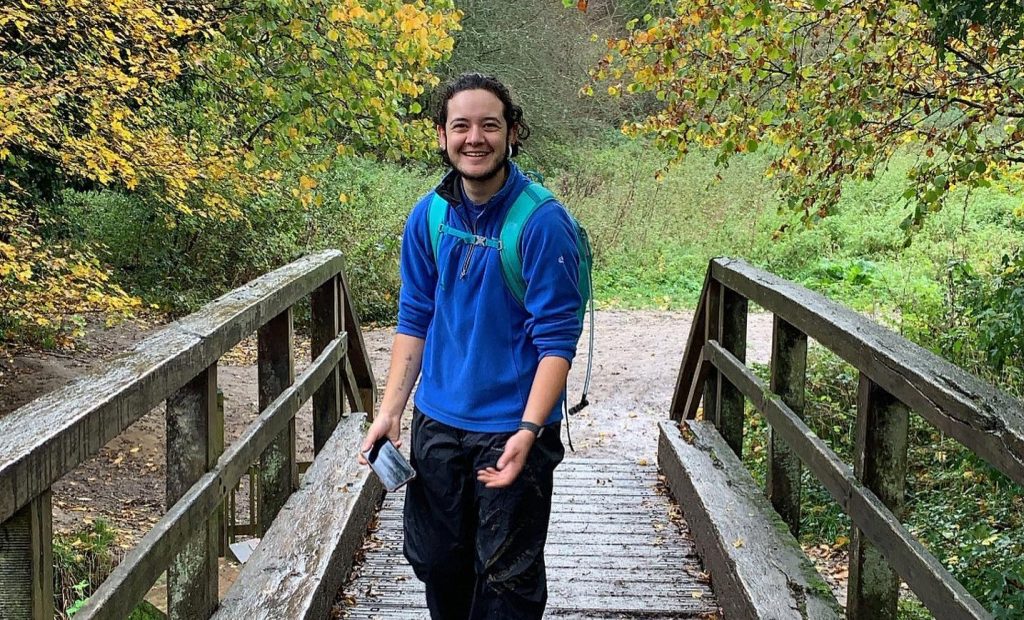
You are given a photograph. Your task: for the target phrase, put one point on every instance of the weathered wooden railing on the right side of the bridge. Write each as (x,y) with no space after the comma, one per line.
(897,378)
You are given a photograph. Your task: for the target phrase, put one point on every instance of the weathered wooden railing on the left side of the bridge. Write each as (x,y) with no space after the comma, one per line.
(49,438)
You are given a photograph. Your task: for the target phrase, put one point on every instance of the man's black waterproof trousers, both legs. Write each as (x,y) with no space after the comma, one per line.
(480,552)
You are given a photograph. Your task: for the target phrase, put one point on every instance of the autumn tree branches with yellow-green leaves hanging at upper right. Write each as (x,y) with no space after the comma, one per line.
(836,88)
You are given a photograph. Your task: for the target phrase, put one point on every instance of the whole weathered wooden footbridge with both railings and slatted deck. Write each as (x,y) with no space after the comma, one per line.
(620,548)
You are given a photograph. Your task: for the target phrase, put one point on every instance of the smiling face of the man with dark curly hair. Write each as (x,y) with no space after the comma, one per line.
(476,137)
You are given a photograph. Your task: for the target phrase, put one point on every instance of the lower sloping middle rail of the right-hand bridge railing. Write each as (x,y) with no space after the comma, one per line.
(926,576)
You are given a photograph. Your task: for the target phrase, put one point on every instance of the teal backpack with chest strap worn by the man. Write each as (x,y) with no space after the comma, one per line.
(507,244)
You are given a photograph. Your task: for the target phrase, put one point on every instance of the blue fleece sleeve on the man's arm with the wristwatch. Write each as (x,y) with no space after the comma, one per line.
(551,269)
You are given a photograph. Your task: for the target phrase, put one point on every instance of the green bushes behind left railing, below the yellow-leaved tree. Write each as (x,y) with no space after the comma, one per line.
(358,206)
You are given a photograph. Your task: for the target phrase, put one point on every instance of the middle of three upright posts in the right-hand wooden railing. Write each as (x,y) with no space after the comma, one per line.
(789,377)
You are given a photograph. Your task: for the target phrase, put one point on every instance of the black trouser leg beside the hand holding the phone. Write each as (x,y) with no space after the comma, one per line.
(440,523)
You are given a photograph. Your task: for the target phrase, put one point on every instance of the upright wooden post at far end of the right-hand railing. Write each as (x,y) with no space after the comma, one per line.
(733,324)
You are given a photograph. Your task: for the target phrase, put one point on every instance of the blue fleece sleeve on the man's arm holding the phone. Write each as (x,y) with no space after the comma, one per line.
(419,275)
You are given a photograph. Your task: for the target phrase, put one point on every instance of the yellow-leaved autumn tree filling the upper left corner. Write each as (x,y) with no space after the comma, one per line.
(197,106)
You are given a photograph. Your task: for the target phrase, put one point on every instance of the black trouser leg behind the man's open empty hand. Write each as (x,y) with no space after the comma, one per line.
(513,527)
